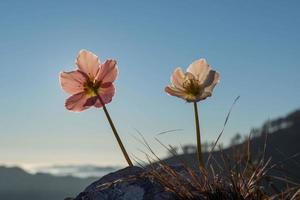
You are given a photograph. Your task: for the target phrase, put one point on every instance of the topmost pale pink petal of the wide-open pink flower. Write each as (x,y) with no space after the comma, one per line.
(88,63)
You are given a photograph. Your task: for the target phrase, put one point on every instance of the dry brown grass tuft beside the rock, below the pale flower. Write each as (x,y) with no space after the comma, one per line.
(236,177)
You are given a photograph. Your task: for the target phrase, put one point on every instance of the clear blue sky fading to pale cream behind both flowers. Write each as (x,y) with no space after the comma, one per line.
(253,44)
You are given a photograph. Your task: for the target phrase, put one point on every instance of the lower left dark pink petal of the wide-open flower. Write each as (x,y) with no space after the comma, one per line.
(77,102)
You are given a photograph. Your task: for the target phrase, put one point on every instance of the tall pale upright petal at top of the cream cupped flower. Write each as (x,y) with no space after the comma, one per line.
(199,69)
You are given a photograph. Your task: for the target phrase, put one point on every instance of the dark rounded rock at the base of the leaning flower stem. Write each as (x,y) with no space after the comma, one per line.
(131,183)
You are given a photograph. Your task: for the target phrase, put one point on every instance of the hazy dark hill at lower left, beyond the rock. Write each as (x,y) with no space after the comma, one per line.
(16,184)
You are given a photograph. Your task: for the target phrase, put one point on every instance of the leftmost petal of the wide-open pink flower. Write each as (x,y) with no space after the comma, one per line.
(72,82)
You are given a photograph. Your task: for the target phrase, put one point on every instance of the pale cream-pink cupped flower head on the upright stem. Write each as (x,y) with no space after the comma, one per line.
(196,84)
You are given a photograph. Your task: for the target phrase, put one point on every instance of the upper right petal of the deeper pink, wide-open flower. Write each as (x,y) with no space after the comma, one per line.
(108,72)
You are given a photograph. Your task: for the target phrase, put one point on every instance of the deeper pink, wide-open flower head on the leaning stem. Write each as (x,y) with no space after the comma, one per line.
(90,81)
